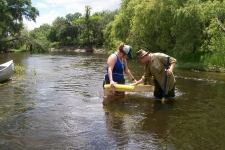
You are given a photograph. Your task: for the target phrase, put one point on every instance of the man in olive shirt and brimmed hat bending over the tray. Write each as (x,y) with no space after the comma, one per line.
(155,72)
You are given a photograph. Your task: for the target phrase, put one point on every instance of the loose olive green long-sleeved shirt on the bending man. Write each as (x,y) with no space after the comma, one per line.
(155,69)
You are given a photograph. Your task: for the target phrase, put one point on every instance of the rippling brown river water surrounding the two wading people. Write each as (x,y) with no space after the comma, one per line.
(58,104)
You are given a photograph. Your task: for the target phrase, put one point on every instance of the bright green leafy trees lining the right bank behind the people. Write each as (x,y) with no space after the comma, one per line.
(191,30)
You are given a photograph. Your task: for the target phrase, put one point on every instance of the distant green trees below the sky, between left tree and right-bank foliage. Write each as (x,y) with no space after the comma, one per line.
(74,29)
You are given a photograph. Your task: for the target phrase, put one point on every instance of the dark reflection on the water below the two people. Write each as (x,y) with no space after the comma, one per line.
(138,123)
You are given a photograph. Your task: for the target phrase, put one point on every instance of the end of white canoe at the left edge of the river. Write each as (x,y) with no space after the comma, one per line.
(6,70)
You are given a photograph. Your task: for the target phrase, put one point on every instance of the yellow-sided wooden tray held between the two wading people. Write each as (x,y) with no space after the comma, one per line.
(130,88)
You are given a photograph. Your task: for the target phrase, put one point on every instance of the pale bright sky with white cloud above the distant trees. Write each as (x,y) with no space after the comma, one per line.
(51,9)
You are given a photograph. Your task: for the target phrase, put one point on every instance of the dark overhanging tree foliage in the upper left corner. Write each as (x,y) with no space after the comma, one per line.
(11,22)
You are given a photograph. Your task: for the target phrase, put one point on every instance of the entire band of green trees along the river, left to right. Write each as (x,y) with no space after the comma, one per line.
(193,31)
